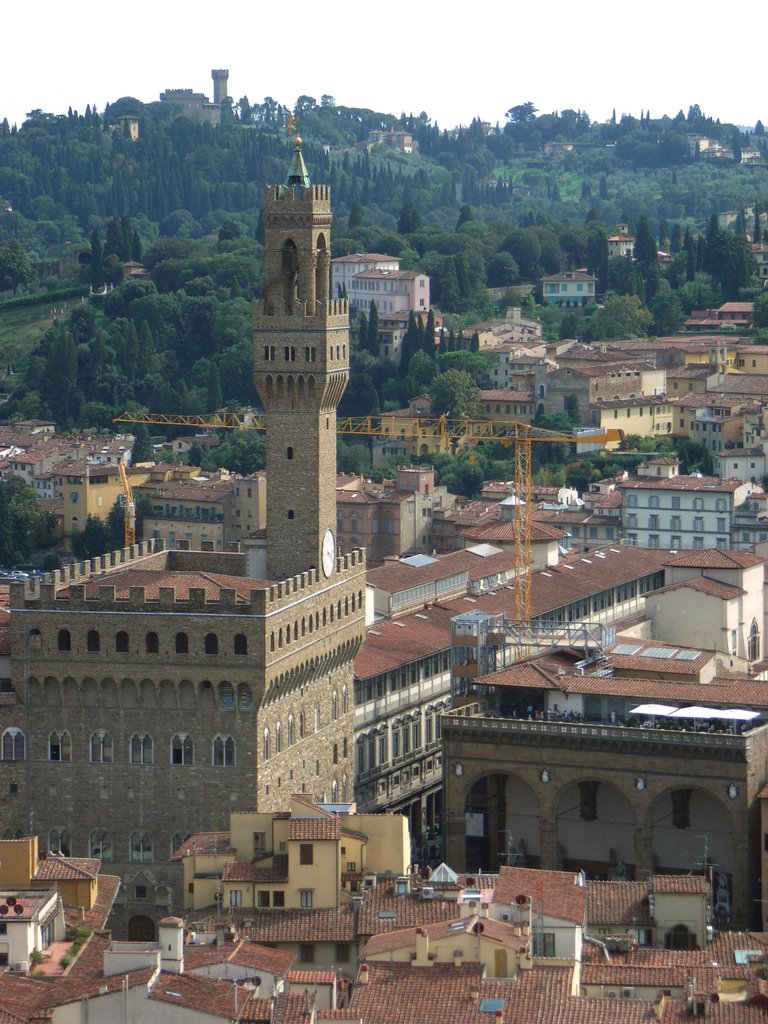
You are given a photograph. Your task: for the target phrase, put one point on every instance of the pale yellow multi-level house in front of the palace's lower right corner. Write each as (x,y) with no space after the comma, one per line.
(311,858)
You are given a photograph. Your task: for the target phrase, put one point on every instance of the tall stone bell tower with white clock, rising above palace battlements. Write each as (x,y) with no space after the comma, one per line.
(302,368)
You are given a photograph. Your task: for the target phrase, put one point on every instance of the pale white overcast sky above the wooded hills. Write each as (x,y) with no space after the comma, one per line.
(453,61)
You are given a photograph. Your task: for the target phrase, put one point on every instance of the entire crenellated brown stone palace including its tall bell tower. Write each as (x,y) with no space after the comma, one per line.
(154,692)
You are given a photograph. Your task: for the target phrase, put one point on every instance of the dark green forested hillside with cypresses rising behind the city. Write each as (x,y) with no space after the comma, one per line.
(479,208)
